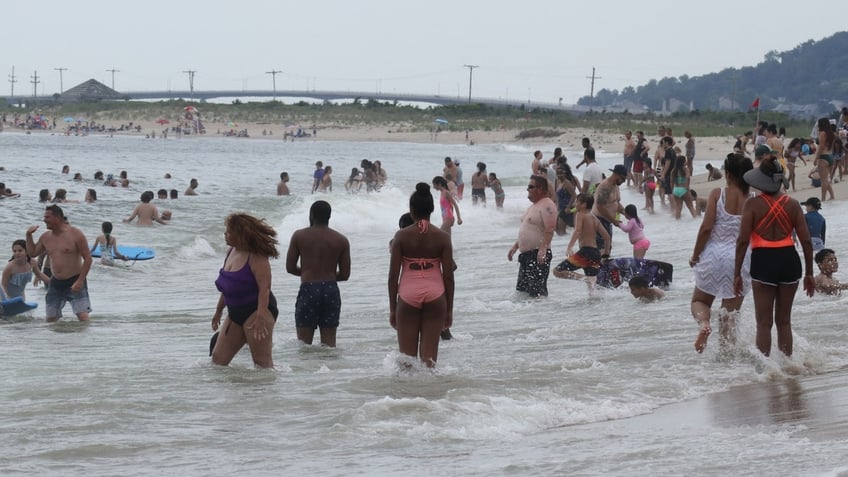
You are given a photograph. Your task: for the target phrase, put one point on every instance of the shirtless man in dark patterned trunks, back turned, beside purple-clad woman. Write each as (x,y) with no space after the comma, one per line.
(324,256)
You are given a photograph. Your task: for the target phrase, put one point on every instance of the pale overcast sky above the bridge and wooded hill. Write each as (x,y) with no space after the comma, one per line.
(528,50)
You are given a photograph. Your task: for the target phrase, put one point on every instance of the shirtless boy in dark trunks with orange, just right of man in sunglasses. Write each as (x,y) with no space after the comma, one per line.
(587,229)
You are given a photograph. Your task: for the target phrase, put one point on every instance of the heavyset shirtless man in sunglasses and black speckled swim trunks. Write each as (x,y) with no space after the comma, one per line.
(534,240)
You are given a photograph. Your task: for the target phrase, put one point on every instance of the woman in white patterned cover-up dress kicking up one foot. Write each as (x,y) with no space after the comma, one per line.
(715,247)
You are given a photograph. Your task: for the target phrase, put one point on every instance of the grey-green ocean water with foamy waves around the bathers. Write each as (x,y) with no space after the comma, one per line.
(553,386)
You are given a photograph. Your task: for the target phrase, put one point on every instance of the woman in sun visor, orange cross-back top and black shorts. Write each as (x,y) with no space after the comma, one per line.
(769,221)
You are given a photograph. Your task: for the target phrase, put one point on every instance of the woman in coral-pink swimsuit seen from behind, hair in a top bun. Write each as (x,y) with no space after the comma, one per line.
(420,285)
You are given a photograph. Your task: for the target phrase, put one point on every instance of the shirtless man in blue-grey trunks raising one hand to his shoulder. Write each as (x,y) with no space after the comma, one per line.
(70,261)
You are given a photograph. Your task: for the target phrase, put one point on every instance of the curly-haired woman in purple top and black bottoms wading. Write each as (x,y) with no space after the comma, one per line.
(245,285)
